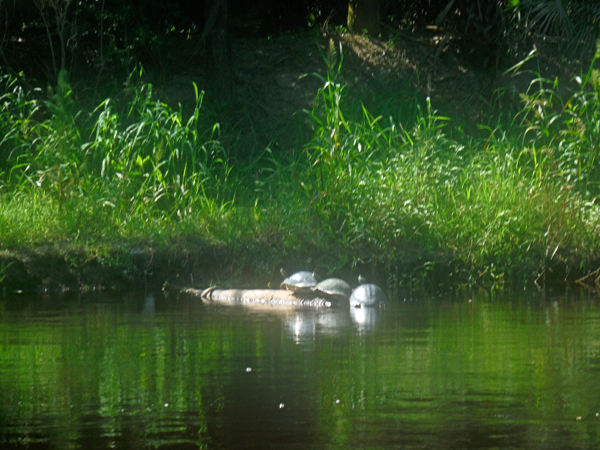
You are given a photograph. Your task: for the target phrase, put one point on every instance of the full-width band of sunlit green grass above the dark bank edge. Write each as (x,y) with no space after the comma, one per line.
(520,202)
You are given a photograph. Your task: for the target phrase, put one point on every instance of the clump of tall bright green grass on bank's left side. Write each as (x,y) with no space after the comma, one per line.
(140,160)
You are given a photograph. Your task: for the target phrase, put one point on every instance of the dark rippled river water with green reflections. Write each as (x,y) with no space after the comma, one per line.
(146,371)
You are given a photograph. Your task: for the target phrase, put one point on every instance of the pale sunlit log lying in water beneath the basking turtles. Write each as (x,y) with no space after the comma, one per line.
(259,297)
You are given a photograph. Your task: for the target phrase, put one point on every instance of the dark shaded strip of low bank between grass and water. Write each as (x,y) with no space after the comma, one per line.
(66,269)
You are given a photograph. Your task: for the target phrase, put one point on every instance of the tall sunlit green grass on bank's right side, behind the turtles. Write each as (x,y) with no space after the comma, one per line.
(523,199)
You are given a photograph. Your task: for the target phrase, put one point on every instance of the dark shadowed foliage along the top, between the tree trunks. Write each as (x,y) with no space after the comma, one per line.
(113,36)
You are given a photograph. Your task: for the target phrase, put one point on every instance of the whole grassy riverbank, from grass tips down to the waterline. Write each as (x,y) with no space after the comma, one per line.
(137,193)
